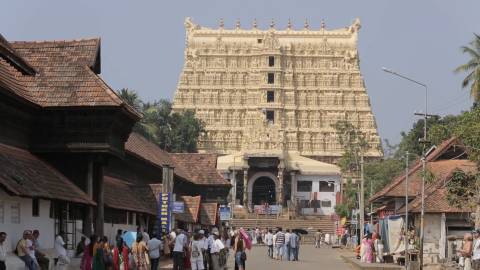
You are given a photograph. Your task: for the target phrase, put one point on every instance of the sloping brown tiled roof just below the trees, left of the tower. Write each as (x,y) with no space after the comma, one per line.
(142,148)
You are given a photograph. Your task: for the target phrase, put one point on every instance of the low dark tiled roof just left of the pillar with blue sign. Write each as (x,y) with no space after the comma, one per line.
(120,194)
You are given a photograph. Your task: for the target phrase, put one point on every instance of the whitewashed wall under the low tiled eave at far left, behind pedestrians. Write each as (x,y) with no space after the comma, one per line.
(43,222)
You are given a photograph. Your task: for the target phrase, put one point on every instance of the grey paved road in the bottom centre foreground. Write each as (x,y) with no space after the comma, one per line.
(310,258)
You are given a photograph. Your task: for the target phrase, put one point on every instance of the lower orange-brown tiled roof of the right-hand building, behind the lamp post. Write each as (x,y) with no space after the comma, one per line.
(436,193)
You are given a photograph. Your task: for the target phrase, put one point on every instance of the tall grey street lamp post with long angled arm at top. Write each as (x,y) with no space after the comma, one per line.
(424,158)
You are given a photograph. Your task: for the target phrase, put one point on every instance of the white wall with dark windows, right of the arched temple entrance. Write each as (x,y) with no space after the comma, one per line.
(315,179)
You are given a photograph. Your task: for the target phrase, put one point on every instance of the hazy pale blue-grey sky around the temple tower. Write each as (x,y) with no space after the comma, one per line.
(143,42)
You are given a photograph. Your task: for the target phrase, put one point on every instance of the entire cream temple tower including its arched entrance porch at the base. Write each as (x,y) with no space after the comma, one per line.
(269,100)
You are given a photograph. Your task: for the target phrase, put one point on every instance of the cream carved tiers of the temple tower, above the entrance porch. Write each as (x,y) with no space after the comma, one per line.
(274,90)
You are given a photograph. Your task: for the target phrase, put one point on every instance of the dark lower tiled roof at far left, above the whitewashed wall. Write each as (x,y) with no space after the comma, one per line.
(24,174)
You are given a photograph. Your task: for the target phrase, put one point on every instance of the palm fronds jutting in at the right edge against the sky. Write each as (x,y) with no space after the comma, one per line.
(472,67)
